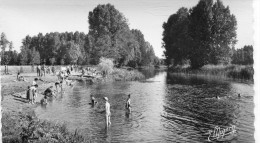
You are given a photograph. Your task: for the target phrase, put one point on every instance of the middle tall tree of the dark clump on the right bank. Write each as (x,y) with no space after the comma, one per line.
(200,32)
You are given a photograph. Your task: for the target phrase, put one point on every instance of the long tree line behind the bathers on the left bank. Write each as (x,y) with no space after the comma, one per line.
(109,36)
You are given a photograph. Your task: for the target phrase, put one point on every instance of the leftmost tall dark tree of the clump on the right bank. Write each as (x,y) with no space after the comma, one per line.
(176,38)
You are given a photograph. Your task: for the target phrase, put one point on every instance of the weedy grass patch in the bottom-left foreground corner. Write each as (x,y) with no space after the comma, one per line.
(26,127)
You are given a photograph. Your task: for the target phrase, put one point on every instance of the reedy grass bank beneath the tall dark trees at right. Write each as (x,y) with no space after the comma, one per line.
(240,72)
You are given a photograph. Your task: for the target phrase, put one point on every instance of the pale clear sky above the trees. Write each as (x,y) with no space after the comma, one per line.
(30,17)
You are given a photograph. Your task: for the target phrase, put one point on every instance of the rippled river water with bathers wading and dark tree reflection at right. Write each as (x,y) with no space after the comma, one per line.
(165,108)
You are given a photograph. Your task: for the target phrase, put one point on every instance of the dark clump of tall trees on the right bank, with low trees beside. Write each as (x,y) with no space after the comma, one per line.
(204,34)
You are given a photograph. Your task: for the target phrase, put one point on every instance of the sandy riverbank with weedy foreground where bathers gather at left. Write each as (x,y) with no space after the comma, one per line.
(19,123)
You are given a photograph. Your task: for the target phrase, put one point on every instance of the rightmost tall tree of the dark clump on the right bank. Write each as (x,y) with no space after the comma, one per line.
(223,34)
